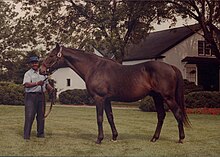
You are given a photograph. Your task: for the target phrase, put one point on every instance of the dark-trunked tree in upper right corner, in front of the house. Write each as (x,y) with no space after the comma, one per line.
(207,13)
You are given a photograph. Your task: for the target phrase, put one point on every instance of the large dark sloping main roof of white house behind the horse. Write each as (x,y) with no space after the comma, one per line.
(157,43)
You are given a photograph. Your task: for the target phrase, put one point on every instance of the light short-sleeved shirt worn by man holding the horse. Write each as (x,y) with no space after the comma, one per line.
(34,76)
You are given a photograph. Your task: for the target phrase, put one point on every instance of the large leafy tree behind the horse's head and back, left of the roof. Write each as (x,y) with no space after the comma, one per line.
(109,24)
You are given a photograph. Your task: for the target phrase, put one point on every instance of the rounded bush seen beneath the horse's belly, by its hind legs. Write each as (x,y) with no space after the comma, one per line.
(147,105)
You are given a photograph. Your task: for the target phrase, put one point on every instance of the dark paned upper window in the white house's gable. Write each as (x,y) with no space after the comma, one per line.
(204,48)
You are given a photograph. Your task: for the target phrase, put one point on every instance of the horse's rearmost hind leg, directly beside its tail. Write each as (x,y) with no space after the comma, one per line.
(178,115)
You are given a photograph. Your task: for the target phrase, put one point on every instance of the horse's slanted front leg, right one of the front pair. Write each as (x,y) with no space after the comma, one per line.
(109,114)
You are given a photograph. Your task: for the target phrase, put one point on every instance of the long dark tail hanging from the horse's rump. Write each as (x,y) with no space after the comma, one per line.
(179,96)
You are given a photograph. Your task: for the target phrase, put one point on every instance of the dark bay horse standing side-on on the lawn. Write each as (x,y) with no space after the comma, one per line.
(107,80)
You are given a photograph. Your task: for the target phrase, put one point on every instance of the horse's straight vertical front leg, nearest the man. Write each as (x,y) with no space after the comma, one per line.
(99,112)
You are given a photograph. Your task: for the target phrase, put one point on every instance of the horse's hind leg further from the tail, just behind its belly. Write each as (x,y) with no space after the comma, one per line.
(158,100)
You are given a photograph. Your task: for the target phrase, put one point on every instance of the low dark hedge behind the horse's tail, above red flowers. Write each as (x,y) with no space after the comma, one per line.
(203,99)
